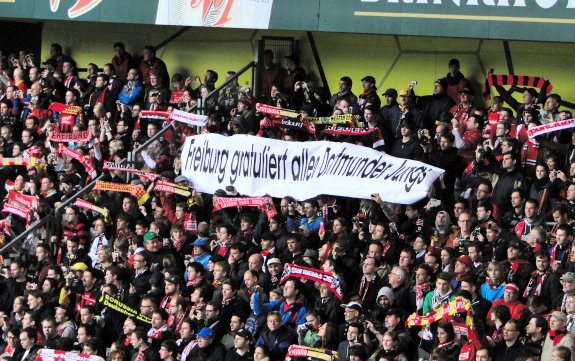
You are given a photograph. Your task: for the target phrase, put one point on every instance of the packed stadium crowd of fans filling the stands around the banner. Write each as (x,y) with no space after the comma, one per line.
(150,275)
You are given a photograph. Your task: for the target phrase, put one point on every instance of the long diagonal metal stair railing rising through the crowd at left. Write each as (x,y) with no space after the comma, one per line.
(53,219)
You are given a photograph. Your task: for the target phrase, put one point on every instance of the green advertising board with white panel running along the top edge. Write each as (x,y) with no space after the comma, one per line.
(543,20)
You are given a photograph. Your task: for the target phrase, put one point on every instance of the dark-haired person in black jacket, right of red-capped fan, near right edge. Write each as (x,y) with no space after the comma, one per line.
(543,282)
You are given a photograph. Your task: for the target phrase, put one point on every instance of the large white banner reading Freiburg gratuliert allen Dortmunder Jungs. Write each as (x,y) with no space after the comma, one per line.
(260,166)
